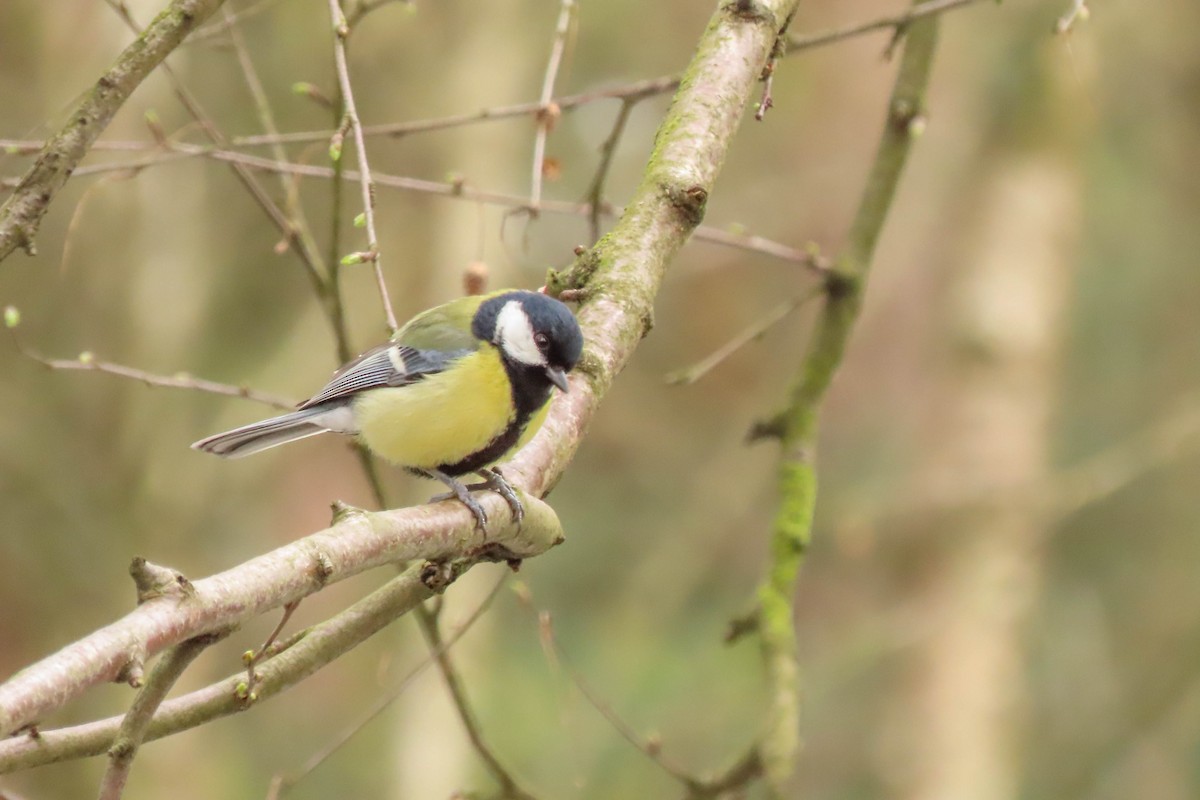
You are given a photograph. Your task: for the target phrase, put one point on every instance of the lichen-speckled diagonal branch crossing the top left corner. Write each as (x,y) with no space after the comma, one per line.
(22,214)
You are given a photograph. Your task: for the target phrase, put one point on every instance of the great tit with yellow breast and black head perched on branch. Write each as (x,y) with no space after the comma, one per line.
(453,393)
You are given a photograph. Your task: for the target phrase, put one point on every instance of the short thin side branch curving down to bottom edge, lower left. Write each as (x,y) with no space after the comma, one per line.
(167,671)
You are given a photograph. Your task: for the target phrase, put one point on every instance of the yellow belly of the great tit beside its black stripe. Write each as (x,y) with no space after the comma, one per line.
(441,419)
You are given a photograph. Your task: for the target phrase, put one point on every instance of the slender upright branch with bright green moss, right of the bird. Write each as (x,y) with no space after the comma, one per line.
(796,426)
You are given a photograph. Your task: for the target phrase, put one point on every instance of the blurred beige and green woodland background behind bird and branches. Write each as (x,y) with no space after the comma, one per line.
(1003,600)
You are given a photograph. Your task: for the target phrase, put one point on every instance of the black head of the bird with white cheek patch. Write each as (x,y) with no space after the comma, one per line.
(532,330)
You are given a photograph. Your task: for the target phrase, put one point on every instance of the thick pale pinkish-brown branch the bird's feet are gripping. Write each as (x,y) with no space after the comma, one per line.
(358,542)
